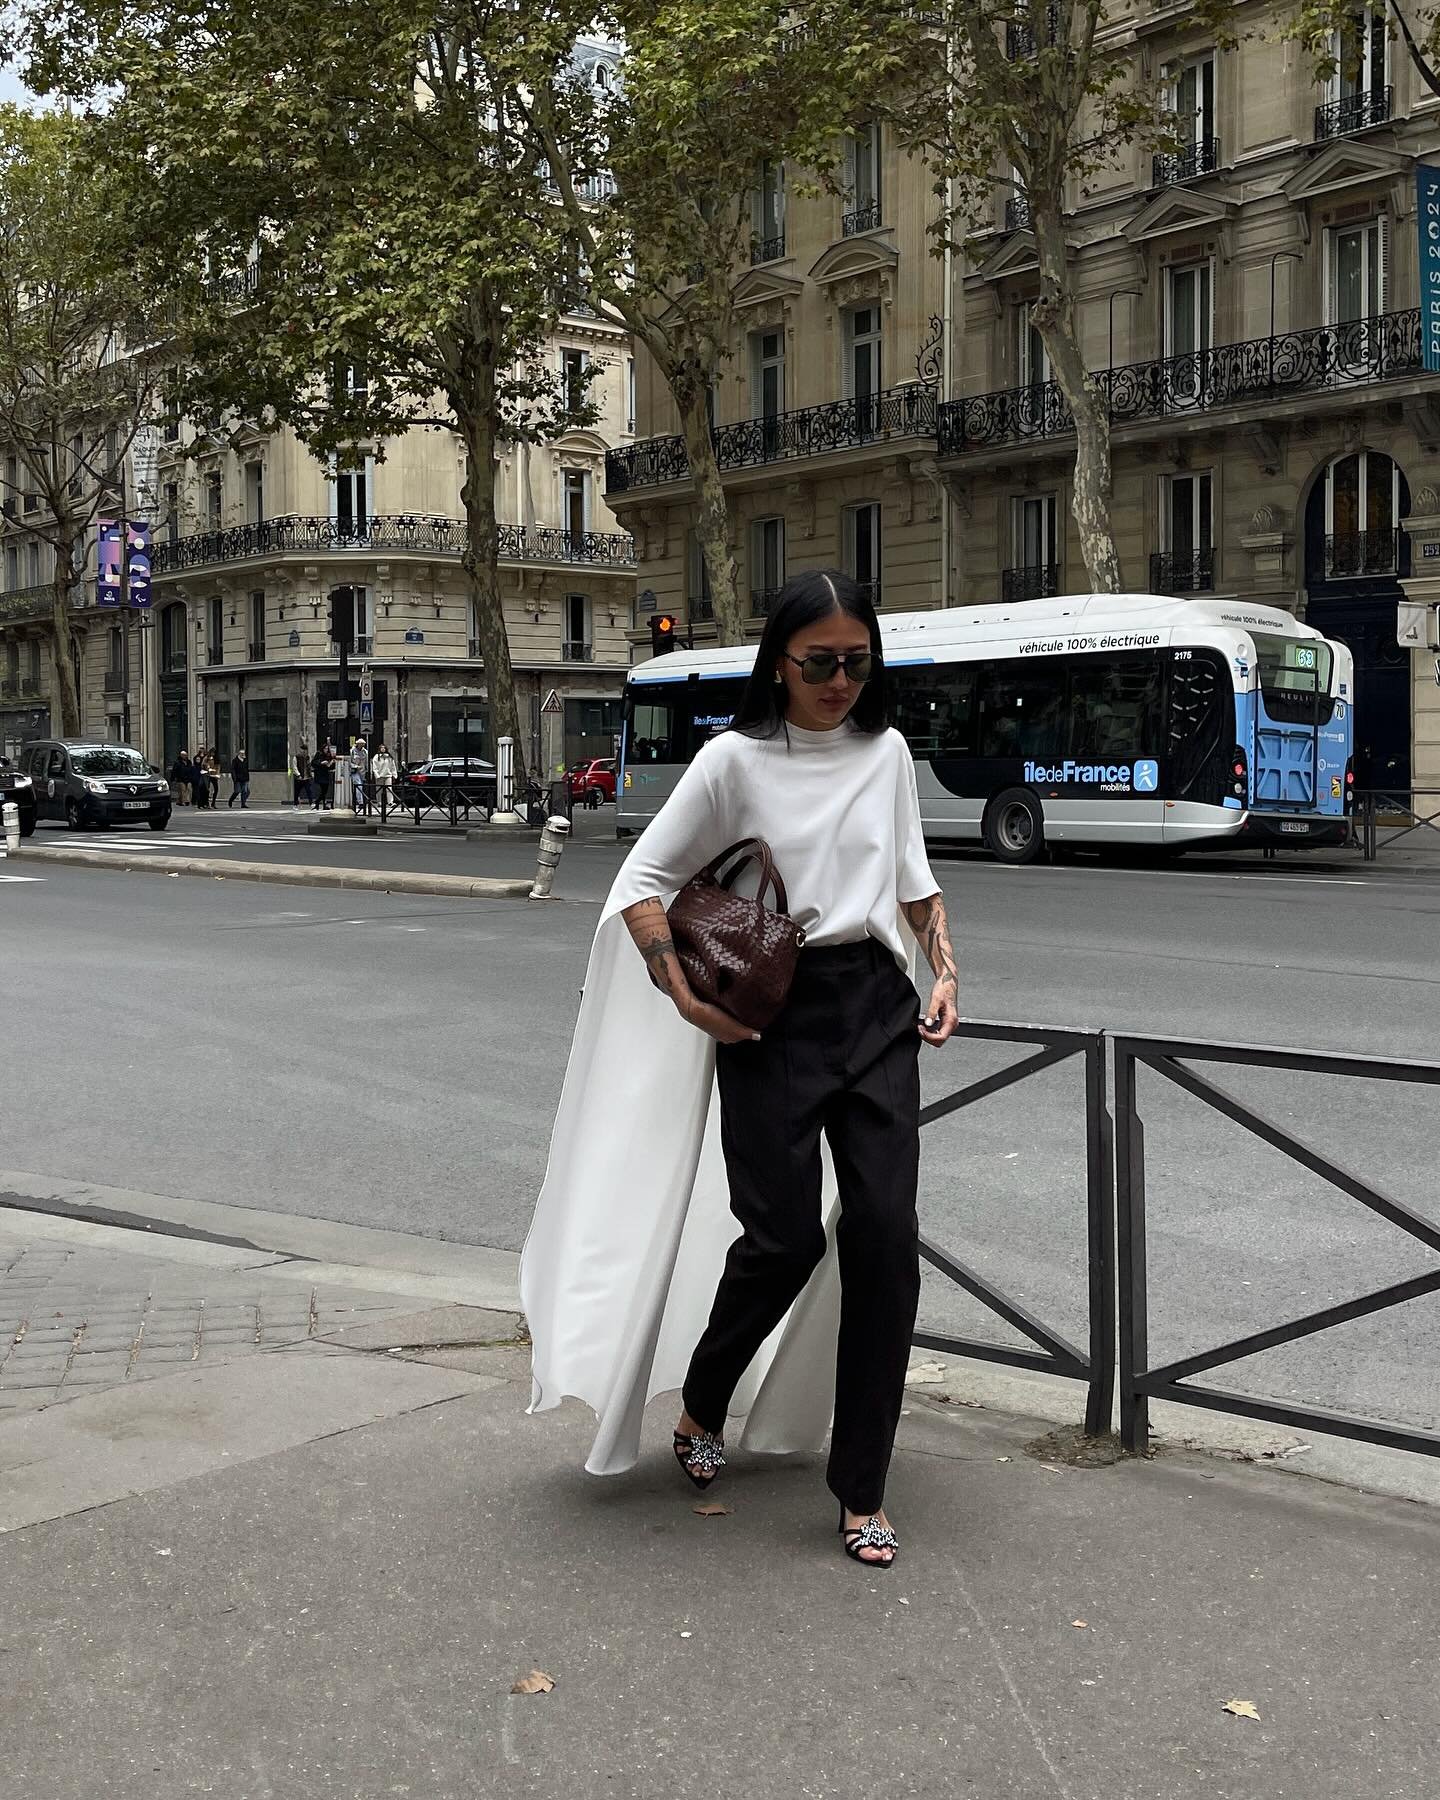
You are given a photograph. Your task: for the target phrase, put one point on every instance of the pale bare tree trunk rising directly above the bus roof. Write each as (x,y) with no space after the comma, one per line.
(1092,487)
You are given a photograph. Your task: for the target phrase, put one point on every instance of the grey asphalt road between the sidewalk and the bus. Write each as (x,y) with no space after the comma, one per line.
(397,1063)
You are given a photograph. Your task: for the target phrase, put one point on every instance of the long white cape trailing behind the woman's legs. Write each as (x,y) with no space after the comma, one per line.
(633,1227)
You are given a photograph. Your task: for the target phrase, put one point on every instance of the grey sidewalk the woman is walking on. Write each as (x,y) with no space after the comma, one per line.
(309,1542)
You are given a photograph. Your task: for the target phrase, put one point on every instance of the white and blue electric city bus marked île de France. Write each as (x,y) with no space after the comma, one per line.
(1095,719)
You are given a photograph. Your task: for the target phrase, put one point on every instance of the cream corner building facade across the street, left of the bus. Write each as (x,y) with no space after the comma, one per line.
(251,537)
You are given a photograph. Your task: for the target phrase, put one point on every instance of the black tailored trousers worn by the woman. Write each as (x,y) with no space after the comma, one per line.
(841,1059)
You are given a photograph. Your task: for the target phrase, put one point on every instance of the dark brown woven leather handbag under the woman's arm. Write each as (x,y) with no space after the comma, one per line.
(737,953)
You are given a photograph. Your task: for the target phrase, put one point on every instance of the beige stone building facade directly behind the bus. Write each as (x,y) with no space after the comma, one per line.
(1250,305)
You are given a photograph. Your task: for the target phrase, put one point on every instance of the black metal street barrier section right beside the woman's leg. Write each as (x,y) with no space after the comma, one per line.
(1052,1353)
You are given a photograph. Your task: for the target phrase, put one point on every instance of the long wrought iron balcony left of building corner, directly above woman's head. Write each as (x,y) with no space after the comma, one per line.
(807,431)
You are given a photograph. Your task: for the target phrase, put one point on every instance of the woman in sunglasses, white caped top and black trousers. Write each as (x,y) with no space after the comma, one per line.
(811,769)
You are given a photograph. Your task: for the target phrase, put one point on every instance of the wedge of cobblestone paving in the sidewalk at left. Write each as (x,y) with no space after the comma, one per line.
(78,1320)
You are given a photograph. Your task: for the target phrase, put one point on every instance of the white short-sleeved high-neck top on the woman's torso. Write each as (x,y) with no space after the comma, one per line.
(838,809)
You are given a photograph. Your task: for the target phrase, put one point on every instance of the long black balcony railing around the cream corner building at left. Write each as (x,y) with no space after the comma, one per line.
(395,532)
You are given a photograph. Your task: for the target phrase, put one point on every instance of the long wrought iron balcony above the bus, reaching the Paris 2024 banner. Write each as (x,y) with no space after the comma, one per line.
(1227,375)
